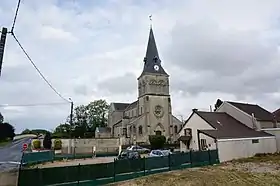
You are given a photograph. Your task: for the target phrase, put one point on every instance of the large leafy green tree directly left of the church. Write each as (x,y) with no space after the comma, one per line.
(87,117)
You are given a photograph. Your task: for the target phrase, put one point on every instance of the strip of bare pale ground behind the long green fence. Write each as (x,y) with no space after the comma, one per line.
(75,162)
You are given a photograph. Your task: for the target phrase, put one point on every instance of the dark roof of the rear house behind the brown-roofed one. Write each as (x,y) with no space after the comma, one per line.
(260,113)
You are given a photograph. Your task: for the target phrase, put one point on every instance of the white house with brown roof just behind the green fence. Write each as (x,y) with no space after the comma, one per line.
(219,130)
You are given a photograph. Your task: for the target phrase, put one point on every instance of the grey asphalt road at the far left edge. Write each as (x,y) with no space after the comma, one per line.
(10,155)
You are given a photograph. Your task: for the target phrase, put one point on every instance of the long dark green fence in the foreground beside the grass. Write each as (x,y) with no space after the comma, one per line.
(119,170)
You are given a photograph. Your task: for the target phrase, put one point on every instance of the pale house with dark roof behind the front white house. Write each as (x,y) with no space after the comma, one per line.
(251,115)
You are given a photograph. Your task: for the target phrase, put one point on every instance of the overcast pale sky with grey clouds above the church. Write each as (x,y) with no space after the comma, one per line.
(94,49)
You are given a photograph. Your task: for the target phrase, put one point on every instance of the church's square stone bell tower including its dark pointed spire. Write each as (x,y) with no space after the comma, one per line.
(153,93)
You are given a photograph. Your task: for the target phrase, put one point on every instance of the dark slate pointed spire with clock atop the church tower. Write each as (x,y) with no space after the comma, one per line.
(152,62)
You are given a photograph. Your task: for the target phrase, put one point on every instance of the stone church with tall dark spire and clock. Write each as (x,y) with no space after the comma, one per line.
(151,113)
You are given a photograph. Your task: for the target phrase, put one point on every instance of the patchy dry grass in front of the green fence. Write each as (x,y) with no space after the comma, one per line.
(264,170)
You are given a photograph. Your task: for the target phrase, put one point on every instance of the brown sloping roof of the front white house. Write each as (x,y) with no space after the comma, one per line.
(227,127)
